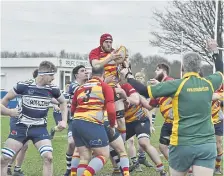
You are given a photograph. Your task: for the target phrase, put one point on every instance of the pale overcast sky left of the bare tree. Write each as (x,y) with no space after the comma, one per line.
(76,26)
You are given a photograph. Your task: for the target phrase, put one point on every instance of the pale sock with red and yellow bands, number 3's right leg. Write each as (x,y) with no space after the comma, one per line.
(95,165)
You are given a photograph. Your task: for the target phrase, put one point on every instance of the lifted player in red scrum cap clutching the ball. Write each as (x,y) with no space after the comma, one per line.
(105,56)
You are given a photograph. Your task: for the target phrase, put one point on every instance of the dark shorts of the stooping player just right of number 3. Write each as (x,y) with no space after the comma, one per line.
(140,128)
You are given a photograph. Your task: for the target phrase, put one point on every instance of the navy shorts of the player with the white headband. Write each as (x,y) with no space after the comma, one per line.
(23,133)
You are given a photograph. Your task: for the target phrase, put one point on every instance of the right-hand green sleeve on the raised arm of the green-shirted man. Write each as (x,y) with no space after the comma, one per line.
(216,80)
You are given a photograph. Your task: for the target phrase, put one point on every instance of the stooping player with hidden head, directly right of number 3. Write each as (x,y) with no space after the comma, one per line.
(138,123)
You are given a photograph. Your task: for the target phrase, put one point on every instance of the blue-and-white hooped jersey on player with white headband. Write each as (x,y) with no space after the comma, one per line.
(35,101)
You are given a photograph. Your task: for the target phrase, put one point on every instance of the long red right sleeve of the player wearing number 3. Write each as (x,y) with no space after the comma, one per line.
(109,102)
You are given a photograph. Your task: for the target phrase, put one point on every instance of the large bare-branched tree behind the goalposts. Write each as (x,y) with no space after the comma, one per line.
(196,19)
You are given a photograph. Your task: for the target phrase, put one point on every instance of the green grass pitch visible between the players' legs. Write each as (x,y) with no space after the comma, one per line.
(32,165)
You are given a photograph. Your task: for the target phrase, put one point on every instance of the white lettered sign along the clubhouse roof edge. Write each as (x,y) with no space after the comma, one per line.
(71,63)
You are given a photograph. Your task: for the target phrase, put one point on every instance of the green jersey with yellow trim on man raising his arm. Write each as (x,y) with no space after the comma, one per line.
(192,97)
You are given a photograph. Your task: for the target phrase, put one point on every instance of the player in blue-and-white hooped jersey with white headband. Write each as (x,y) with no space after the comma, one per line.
(36,95)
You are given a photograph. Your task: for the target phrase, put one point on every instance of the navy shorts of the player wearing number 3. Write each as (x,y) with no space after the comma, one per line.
(89,134)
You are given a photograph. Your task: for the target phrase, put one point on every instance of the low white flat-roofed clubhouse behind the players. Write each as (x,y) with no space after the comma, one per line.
(21,69)
